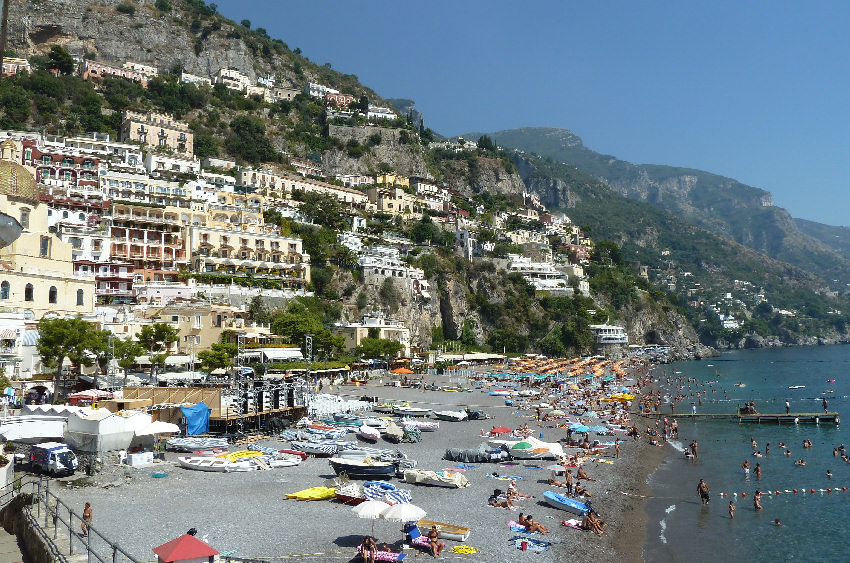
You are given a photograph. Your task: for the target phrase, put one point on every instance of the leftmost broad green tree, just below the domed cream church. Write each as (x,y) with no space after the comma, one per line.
(63,338)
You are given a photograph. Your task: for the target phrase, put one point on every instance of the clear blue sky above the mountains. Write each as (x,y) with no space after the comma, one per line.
(757,91)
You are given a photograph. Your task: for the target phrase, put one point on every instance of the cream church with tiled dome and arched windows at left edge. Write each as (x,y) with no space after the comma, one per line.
(36,268)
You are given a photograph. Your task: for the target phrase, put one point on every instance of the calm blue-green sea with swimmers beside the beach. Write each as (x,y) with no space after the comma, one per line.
(813,524)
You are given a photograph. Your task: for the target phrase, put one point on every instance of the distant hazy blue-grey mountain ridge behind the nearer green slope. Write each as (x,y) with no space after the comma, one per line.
(736,211)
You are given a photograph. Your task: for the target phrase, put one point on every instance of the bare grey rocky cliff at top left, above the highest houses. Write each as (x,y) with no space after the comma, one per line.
(200,44)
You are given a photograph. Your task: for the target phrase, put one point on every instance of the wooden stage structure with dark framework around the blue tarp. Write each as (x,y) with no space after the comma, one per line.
(257,404)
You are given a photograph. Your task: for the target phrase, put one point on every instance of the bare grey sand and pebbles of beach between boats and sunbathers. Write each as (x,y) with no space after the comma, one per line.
(248,515)
